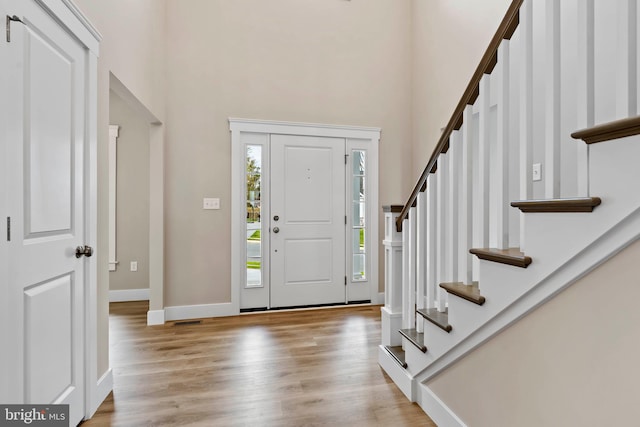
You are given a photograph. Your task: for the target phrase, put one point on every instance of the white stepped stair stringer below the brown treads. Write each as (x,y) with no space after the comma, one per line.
(564,248)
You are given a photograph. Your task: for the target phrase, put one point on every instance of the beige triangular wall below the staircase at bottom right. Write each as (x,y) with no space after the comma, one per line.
(572,362)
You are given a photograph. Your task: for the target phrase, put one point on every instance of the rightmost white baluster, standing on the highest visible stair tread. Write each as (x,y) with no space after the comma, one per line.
(627,78)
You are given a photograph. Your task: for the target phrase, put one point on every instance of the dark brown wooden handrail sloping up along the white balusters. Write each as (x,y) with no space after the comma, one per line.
(487,63)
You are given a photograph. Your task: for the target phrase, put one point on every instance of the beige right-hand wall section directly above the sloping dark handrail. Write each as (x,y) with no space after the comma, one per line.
(449,38)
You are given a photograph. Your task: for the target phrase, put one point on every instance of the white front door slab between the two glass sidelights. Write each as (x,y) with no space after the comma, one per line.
(307,238)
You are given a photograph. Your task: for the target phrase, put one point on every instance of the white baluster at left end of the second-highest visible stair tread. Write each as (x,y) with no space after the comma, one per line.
(526,109)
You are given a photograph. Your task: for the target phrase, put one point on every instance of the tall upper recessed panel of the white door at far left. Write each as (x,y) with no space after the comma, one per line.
(49,140)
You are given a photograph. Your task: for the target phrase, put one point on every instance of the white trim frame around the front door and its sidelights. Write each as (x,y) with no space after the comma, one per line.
(355,136)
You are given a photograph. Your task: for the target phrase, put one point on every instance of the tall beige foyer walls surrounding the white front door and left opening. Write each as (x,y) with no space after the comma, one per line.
(341,62)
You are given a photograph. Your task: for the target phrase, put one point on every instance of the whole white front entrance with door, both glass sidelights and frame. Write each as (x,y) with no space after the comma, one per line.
(304,214)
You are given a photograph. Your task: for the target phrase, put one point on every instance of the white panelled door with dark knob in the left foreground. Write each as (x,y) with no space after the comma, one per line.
(46,175)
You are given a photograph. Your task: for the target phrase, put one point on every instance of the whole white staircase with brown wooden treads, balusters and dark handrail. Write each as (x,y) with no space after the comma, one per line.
(480,244)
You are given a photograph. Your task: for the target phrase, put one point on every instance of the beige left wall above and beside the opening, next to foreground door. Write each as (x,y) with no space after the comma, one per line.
(132,49)
